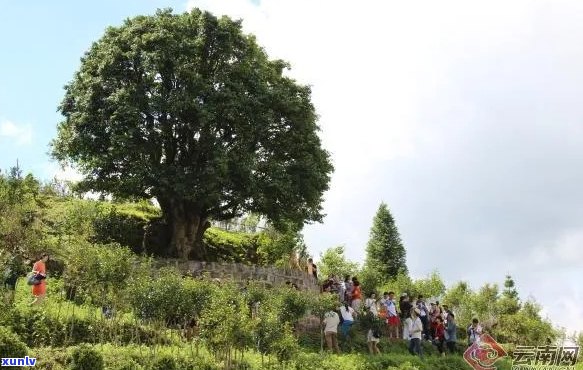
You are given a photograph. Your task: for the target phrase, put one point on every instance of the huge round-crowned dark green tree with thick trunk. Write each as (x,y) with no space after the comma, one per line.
(187,109)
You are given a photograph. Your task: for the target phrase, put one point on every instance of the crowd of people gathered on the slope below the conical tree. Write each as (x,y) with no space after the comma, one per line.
(408,318)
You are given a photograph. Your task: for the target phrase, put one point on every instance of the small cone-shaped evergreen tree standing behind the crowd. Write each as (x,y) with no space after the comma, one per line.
(385,253)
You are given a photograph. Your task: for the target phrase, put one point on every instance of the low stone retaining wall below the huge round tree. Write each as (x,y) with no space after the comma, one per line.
(269,275)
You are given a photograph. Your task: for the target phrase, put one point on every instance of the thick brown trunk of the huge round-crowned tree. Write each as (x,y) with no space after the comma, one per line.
(187,226)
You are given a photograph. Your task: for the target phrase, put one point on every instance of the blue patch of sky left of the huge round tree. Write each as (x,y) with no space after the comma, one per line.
(41,46)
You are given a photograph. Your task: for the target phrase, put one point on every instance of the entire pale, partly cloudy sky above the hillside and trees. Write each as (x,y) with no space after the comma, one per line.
(464,117)
